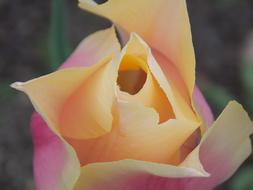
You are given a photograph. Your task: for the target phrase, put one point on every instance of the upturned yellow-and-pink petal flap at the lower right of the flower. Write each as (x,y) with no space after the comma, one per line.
(224,147)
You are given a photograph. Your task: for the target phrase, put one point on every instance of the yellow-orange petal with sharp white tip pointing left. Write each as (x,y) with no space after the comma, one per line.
(58,97)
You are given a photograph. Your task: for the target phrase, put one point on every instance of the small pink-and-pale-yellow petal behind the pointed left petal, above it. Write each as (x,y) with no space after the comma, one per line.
(93,49)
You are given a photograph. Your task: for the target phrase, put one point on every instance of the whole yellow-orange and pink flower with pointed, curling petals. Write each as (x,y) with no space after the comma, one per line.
(132,118)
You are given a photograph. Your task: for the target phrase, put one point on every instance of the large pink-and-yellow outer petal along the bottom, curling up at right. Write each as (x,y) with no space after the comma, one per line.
(225,146)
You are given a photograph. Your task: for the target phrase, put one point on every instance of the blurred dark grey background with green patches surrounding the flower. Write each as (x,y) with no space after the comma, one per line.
(36,36)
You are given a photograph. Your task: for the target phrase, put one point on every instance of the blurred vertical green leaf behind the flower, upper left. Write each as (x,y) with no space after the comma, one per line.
(59,47)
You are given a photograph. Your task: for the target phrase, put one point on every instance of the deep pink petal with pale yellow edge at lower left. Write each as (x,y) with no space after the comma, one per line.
(55,163)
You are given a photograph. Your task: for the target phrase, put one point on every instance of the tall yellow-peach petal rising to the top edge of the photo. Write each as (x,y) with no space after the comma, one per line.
(163,24)
